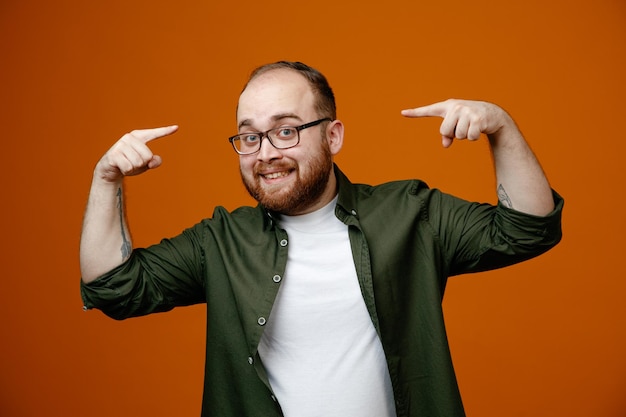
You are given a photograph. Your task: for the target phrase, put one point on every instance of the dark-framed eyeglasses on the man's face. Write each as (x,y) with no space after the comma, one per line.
(283,137)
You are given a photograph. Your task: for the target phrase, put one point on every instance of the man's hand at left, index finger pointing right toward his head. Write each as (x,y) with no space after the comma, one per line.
(131,155)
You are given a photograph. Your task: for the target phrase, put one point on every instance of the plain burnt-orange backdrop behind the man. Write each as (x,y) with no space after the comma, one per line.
(544,338)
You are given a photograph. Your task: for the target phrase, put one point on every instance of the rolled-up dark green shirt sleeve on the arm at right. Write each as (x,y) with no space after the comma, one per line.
(477,237)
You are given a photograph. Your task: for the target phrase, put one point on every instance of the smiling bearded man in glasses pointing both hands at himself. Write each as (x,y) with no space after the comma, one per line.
(325,299)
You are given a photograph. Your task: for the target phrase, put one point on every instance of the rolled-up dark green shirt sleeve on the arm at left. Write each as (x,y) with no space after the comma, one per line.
(153,279)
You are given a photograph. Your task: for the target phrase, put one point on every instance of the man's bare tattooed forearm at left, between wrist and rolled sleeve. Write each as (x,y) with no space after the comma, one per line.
(105,239)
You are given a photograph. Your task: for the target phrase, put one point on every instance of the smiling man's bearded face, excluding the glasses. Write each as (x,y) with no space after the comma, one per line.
(291,181)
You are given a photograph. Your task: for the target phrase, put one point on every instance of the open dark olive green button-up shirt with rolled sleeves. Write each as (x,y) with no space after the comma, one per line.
(406,241)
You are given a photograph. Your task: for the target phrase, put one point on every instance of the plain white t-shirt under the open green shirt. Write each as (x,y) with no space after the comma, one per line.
(321,351)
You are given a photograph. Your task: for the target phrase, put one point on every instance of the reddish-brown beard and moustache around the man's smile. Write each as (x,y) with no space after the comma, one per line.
(299,196)
